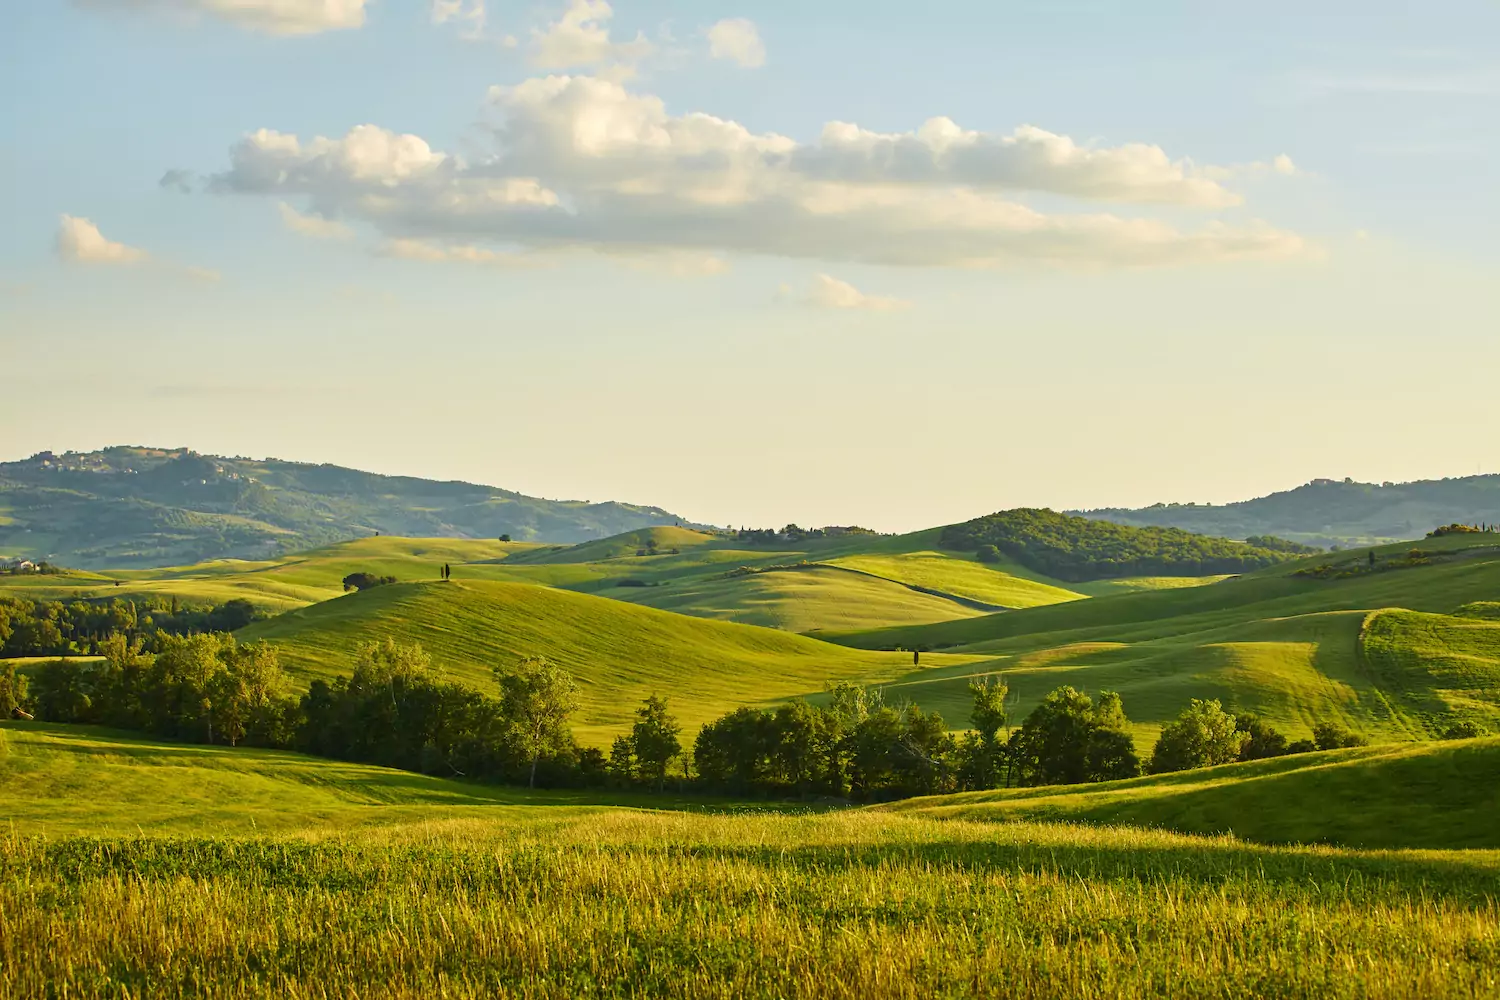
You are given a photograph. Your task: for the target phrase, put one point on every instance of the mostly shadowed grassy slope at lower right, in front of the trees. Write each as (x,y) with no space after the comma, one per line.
(1430,795)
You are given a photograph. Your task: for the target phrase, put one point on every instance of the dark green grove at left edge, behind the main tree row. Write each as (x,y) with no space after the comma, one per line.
(53,629)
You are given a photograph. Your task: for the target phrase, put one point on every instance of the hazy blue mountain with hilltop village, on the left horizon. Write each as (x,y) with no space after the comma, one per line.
(152,507)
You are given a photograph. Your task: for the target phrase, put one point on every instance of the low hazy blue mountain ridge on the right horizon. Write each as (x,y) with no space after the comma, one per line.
(1331,512)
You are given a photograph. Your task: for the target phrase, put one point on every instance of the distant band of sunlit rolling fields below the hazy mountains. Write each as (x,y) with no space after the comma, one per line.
(854,582)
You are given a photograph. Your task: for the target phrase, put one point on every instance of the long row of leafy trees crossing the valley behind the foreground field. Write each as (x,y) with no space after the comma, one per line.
(398,710)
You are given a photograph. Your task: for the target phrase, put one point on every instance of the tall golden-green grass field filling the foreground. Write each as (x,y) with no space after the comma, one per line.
(136,870)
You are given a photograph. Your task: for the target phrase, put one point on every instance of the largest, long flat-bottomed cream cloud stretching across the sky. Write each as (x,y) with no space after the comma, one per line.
(581,163)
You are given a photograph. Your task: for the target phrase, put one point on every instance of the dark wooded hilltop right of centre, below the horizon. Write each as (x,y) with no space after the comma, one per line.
(1084,549)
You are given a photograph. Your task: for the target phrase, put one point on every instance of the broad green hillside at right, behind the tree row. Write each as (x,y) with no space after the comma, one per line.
(1289,642)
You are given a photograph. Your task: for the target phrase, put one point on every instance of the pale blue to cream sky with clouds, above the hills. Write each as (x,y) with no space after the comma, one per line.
(845,263)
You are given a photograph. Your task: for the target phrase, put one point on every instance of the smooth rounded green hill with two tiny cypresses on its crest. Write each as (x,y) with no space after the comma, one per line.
(620,653)
